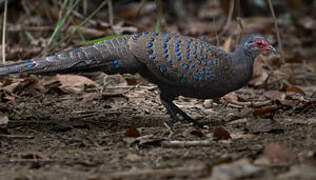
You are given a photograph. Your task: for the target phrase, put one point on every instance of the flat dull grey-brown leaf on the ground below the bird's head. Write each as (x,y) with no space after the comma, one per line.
(264,125)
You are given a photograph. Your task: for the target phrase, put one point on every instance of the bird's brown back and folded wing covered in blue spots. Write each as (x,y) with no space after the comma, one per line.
(182,61)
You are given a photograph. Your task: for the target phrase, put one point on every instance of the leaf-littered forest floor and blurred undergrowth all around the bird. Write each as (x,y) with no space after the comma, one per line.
(96,126)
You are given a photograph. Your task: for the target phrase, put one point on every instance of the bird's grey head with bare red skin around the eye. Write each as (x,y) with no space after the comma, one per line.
(255,44)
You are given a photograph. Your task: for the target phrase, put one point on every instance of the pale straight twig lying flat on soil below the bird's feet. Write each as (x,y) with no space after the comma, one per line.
(182,144)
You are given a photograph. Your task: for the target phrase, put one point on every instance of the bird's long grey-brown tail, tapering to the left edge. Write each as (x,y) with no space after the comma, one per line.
(110,56)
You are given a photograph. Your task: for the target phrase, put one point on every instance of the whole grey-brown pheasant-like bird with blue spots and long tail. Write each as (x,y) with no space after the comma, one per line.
(179,65)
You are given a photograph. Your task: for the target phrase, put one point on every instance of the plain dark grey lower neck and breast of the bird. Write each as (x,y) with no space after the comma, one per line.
(242,67)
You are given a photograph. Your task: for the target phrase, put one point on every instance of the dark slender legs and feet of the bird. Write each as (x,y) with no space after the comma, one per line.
(173,110)
